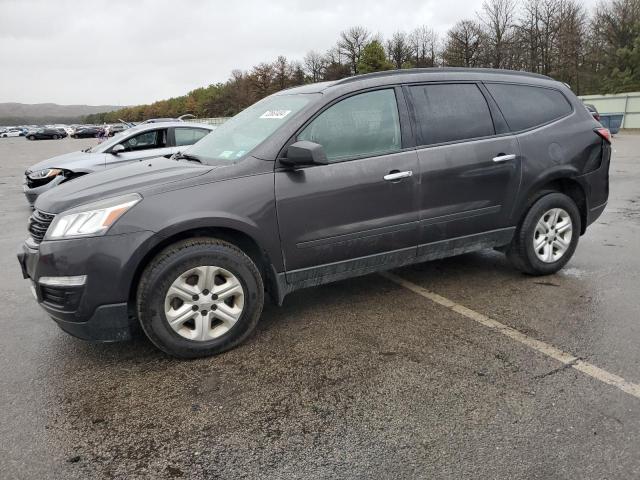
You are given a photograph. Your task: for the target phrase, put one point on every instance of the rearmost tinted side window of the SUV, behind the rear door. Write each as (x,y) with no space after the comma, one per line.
(524,106)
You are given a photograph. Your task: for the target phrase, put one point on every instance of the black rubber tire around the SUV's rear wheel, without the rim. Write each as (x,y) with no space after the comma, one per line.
(521,252)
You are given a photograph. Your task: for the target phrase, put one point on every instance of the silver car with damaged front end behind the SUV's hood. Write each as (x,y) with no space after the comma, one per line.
(138,143)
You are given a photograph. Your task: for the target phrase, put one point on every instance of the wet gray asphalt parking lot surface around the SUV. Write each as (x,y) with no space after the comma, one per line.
(364,378)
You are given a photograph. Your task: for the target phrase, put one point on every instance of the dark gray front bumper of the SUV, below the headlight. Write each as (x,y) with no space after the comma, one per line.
(97,310)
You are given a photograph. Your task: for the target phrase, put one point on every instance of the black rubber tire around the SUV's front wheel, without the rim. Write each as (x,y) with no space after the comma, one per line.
(171,263)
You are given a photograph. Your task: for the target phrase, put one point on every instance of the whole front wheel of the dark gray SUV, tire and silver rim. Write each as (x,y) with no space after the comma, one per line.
(199,297)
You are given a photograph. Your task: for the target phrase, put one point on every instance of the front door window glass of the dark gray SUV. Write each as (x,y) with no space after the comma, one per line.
(366,124)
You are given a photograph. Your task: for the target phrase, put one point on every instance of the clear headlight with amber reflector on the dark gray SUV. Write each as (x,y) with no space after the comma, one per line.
(91,219)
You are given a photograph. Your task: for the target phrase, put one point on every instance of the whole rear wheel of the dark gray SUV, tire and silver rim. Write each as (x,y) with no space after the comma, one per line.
(547,236)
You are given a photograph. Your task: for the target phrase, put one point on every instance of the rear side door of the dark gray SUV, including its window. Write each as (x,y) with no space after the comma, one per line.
(469,163)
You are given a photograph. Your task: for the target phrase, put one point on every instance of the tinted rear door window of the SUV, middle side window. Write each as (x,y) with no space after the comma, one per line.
(449,112)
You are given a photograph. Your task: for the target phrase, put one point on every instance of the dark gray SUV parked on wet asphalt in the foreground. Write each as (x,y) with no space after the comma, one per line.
(316,184)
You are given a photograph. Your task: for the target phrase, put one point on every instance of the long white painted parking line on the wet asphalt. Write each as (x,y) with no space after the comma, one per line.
(549,350)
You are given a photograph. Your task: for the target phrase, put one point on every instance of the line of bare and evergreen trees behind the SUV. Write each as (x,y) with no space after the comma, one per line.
(594,51)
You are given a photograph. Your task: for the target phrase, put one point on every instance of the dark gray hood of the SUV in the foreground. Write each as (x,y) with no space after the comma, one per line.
(133,178)
